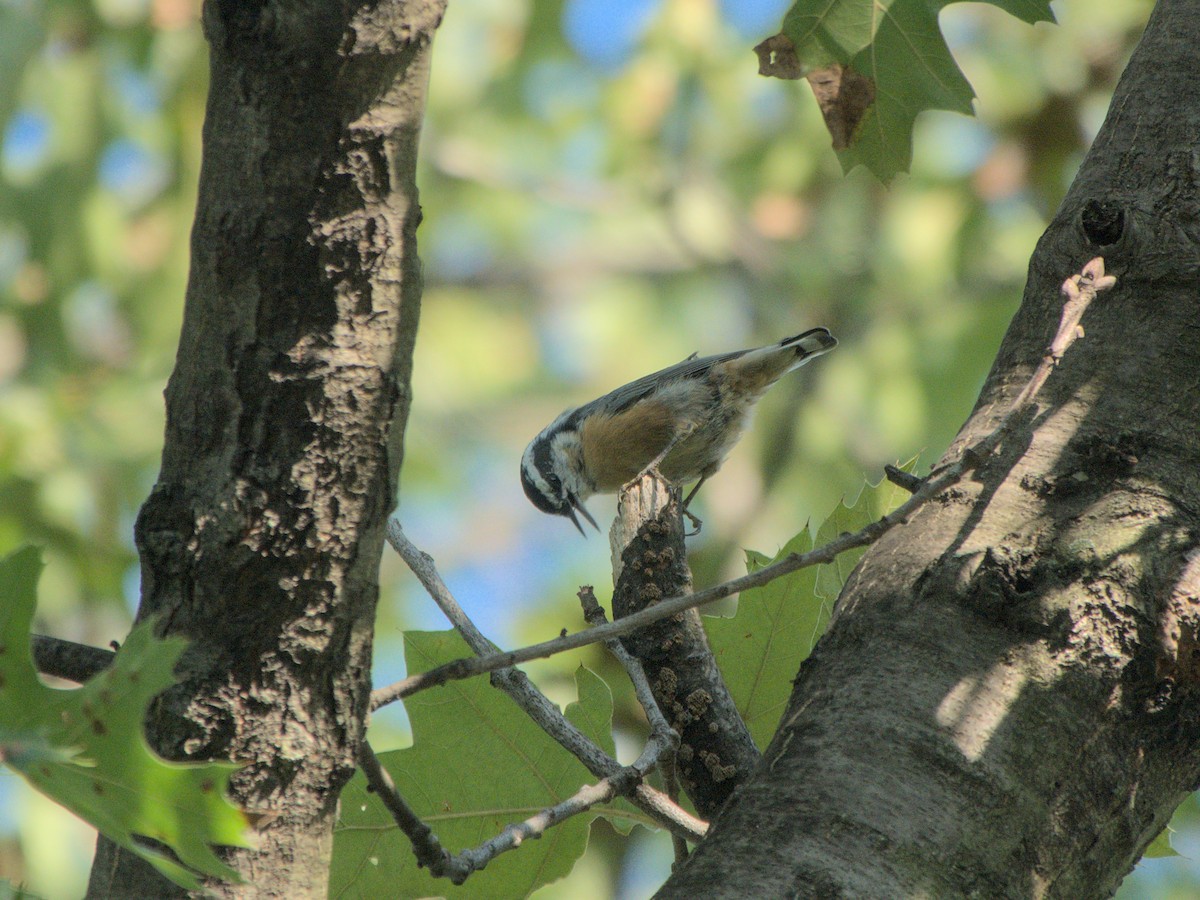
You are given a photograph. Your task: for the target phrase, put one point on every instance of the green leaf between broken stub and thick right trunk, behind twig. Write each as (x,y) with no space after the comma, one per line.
(761,647)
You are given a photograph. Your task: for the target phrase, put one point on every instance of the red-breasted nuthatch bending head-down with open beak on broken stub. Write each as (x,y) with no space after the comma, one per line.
(681,422)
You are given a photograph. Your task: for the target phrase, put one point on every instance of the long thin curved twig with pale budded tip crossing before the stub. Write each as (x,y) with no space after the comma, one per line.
(1081,291)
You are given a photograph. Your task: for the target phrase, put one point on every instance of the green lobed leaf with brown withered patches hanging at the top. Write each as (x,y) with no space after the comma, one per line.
(885,62)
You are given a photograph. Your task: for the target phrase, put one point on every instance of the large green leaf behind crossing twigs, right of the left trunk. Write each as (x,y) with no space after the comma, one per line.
(477,765)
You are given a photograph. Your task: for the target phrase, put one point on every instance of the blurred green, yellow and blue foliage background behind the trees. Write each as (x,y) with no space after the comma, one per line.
(609,187)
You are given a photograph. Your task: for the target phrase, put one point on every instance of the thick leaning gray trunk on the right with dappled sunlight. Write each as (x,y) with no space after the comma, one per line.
(1006,703)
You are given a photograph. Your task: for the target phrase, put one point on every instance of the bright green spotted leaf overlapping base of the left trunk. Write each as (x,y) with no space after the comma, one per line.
(86,749)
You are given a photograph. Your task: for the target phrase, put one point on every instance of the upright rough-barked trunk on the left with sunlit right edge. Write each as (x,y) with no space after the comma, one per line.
(285,416)
